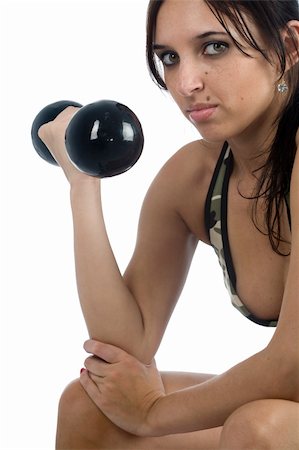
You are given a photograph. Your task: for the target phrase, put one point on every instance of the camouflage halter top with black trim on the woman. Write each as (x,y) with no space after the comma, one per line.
(216,226)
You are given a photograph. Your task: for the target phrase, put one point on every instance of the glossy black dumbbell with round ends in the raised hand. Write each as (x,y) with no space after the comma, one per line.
(103,139)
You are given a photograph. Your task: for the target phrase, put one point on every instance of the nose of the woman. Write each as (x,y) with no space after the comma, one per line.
(189,78)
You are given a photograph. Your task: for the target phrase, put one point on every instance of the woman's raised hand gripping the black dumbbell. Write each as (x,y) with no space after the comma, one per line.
(53,135)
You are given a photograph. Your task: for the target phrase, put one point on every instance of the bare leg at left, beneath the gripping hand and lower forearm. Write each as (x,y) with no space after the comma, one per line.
(82,426)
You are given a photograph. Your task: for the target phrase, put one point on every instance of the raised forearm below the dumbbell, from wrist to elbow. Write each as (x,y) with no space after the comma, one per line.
(108,306)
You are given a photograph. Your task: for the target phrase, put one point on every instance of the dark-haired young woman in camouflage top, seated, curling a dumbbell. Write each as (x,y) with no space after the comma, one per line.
(232,68)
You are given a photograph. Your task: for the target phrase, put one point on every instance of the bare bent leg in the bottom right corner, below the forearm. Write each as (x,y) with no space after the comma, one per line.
(270,423)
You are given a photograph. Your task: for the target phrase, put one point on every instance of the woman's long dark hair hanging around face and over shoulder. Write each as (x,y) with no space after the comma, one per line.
(270,17)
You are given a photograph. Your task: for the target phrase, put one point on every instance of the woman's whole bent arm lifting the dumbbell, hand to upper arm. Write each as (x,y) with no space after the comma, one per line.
(130,311)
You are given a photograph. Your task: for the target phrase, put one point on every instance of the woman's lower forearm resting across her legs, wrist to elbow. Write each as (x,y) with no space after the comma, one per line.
(212,402)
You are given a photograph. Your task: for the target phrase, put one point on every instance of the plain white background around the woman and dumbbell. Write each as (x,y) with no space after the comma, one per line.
(85,51)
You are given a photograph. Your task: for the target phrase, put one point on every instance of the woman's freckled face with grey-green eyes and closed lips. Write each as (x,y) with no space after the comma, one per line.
(219,89)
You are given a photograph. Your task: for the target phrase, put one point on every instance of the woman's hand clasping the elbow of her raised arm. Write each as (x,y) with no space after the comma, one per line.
(124,389)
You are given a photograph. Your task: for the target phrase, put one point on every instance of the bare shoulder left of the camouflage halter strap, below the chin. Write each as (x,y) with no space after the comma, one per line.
(183,182)
